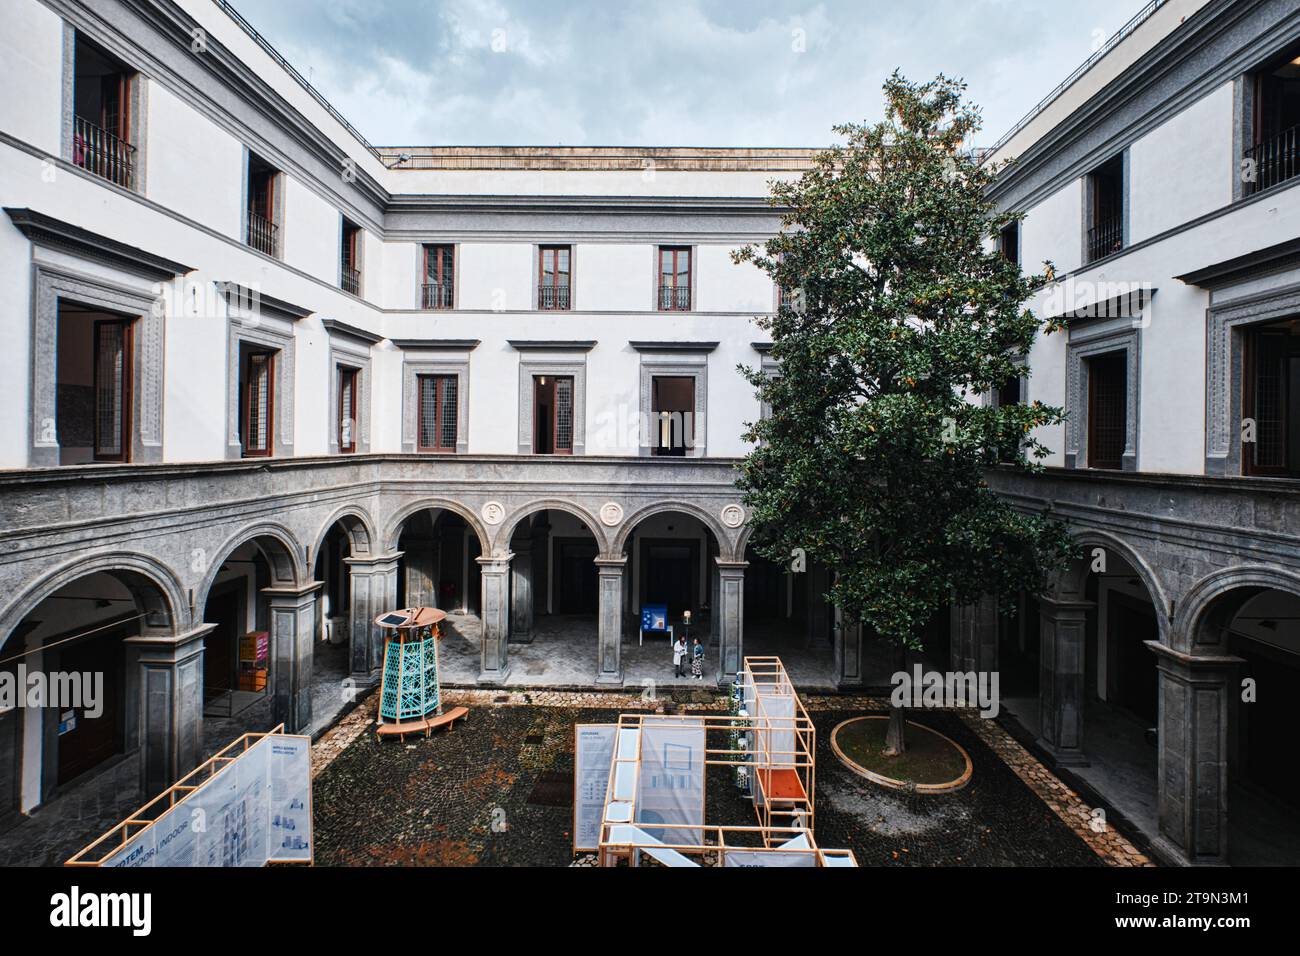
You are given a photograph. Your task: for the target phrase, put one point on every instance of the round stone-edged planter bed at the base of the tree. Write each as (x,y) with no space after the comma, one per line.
(933,764)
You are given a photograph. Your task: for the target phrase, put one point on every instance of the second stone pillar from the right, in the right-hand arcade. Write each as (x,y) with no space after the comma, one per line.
(1061,677)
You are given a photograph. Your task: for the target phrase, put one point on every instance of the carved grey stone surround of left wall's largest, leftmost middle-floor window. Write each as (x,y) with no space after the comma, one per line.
(54,284)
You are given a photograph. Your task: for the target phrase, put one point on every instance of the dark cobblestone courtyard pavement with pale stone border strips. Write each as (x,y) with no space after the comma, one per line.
(499,791)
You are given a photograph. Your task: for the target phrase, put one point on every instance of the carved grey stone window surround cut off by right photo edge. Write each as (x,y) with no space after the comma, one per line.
(1225,327)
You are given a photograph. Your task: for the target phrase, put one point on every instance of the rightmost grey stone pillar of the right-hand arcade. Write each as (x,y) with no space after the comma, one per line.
(1191,806)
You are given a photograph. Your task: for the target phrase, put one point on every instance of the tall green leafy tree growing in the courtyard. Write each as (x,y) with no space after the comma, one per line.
(902,315)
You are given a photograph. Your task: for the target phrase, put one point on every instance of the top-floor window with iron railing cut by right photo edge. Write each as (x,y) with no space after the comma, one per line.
(1273,152)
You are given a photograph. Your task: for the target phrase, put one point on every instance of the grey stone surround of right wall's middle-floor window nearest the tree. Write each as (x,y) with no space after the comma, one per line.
(1090,340)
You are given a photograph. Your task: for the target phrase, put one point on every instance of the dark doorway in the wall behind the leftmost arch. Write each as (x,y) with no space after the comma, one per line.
(86,742)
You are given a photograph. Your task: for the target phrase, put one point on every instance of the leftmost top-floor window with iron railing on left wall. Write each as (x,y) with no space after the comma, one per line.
(102,115)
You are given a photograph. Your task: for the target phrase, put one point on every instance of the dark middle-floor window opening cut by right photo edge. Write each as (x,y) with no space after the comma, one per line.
(1272,401)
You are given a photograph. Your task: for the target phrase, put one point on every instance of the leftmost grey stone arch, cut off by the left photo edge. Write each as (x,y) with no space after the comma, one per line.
(157,590)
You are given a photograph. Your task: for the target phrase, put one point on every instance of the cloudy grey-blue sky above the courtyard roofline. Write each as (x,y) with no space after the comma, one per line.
(668,72)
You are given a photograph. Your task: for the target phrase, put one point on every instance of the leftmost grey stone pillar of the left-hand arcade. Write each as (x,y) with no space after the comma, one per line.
(170,680)
